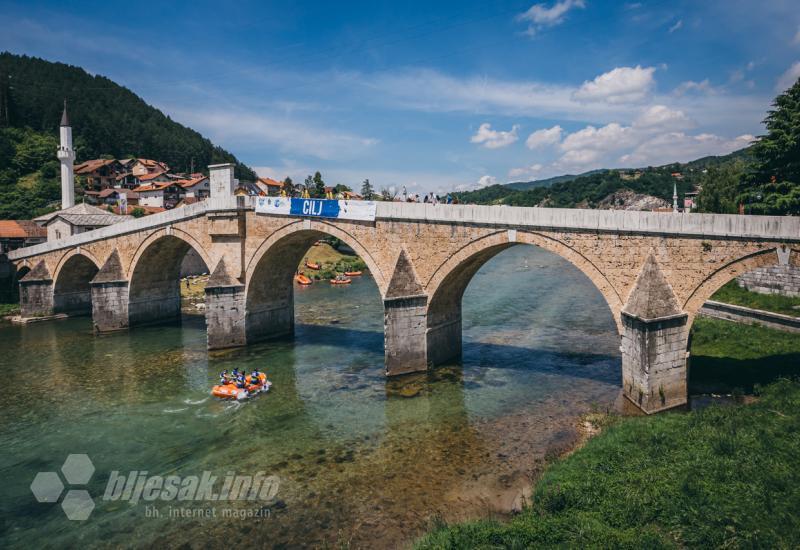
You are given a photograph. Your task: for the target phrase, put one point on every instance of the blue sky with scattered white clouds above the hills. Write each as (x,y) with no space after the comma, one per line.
(437,96)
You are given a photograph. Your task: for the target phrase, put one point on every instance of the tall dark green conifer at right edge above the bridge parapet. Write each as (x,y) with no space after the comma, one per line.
(773,186)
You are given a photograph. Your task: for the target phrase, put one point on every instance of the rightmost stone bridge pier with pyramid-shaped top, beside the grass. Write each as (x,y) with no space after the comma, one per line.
(654,341)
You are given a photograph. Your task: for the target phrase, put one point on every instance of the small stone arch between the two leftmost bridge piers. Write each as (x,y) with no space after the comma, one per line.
(72,290)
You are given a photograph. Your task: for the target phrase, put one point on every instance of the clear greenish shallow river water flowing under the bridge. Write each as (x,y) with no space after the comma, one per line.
(360,459)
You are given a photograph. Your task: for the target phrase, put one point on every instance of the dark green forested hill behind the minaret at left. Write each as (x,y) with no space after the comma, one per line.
(107,119)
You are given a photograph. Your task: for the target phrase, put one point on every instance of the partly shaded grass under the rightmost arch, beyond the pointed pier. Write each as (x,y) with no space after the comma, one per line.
(726,356)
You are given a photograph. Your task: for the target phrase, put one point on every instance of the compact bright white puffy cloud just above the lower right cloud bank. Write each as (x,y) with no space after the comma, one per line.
(620,85)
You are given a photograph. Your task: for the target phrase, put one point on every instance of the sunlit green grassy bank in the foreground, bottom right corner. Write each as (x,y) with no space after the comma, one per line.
(725,476)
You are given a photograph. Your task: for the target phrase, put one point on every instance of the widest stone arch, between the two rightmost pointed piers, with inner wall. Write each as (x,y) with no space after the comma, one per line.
(445,289)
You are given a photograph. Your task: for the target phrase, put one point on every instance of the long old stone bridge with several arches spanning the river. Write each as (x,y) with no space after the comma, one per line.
(654,270)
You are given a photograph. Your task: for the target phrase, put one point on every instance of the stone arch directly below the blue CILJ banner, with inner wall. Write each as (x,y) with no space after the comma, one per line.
(269,289)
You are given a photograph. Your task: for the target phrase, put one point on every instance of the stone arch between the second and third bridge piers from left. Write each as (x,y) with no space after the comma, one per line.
(154,276)
